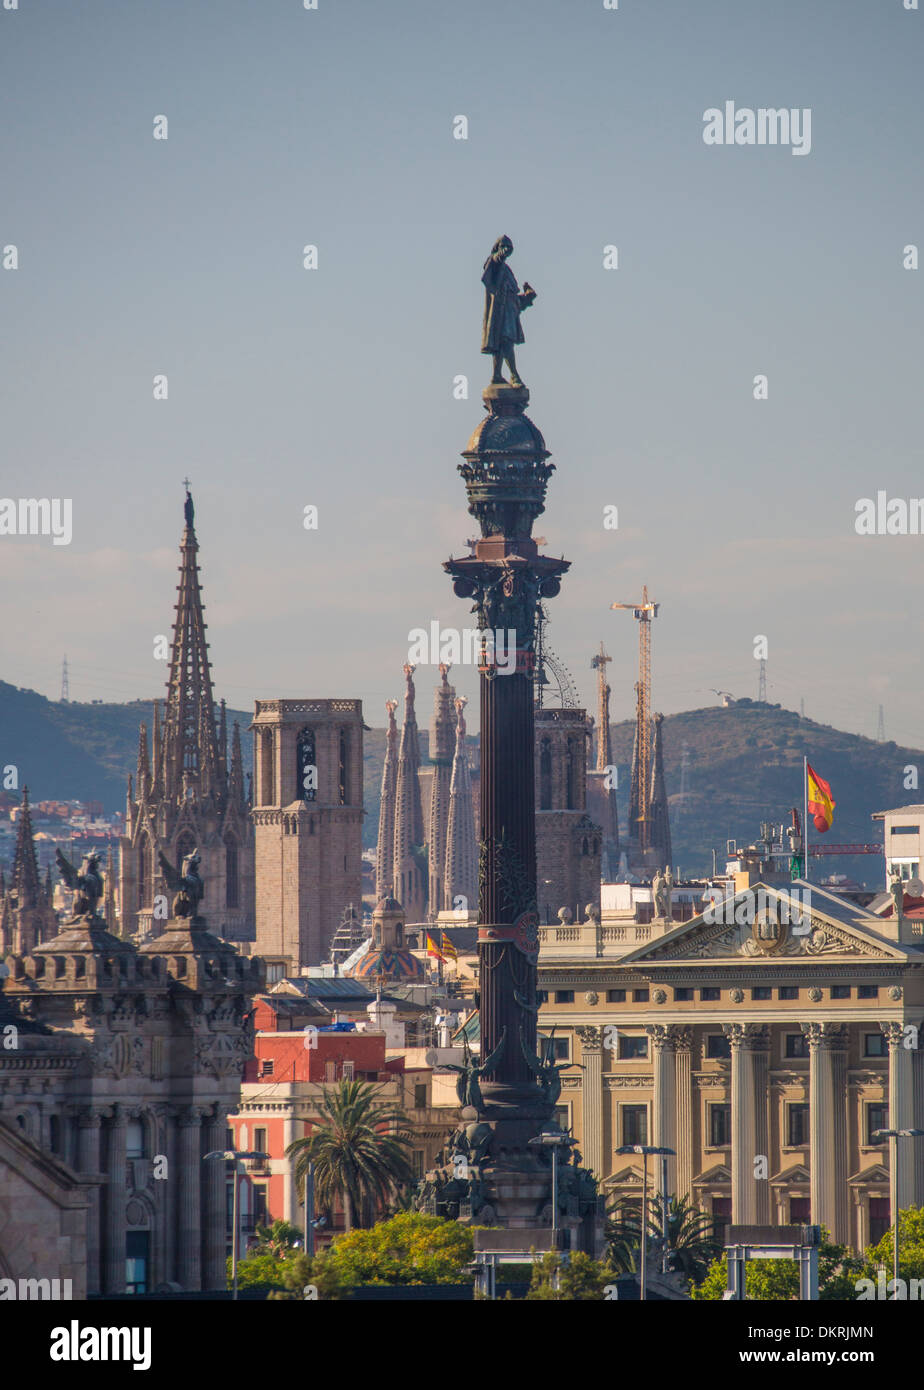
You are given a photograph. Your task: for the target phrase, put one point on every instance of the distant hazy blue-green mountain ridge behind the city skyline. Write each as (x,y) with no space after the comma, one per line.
(744,767)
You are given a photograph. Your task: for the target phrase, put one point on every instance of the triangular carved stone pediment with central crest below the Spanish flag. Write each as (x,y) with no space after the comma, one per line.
(775,922)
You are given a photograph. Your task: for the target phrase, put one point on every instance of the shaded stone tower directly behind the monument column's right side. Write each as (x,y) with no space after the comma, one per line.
(568,842)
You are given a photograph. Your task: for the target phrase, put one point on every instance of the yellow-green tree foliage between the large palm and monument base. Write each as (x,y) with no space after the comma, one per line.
(409,1249)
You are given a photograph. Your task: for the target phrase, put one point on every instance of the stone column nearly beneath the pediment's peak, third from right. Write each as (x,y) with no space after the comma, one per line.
(751,1121)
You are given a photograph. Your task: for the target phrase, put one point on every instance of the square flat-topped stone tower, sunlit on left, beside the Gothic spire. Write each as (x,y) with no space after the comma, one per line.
(309,825)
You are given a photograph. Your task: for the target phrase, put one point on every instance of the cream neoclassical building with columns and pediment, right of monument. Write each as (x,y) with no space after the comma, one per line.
(764,1049)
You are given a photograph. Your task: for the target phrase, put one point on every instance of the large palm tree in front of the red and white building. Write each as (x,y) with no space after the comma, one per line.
(359,1150)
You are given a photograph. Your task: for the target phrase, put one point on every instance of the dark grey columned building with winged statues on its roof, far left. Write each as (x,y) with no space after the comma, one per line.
(124,1065)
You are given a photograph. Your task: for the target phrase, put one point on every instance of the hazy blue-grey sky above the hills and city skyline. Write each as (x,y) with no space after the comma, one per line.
(334,387)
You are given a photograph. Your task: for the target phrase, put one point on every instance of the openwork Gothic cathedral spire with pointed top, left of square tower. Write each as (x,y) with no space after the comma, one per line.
(185,796)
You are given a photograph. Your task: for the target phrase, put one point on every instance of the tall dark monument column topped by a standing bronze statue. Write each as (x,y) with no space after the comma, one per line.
(493,1174)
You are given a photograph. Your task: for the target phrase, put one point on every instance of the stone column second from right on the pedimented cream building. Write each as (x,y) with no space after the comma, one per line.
(827,1127)
